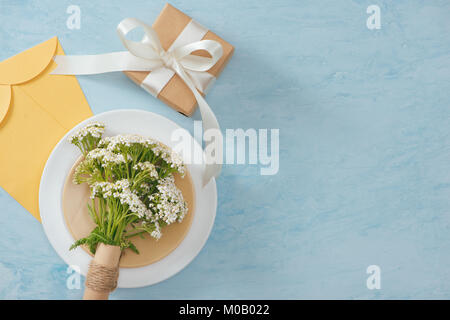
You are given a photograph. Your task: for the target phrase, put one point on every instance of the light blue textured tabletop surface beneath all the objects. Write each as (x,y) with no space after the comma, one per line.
(364,156)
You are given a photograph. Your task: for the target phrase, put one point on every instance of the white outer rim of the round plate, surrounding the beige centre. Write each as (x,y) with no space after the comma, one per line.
(61,161)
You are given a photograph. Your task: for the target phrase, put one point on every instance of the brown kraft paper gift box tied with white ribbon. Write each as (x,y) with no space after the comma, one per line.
(169,25)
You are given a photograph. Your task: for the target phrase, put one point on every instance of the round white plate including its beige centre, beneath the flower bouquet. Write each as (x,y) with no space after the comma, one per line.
(160,259)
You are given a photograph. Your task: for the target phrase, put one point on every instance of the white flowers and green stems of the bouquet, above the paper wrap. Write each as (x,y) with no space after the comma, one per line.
(132,186)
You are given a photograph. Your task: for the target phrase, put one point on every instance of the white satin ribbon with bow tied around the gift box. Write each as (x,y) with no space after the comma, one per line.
(148,55)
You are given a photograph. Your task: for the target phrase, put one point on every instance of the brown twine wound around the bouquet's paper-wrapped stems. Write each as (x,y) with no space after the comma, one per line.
(102,278)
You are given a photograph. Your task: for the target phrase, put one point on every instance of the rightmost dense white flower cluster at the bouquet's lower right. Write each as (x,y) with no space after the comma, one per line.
(168,202)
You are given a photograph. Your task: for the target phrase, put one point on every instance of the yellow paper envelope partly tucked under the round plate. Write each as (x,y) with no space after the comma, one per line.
(36,110)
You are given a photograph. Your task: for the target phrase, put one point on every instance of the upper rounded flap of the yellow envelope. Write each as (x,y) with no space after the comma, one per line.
(27,64)
